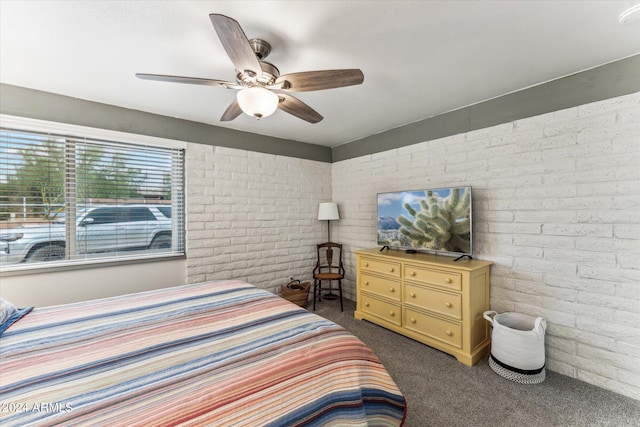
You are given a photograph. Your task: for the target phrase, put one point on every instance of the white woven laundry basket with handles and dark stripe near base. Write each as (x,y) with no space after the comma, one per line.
(517,346)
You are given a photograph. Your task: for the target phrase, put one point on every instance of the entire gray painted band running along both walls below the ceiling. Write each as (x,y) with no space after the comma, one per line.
(607,81)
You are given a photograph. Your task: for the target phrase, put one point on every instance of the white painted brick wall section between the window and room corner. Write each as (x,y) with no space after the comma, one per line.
(252,216)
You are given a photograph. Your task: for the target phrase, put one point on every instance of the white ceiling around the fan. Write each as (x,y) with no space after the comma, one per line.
(419,58)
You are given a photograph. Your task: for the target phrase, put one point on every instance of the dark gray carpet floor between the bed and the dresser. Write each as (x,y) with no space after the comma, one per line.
(440,391)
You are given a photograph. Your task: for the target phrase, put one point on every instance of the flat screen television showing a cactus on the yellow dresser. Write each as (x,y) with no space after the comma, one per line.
(437,220)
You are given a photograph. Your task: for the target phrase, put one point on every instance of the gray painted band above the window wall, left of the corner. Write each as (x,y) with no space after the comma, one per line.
(35,104)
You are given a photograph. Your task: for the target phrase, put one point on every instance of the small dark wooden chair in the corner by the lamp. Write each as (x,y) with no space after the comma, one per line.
(328,268)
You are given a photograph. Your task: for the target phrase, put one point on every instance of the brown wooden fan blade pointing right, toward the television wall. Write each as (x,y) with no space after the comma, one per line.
(318,80)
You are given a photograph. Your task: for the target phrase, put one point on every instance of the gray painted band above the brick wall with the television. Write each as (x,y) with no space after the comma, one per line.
(607,81)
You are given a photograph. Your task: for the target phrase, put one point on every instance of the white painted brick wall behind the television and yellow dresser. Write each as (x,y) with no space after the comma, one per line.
(556,208)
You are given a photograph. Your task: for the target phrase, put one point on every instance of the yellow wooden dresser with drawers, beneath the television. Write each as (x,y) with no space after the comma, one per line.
(430,298)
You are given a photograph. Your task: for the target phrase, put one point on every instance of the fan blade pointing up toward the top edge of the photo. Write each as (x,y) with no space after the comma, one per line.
(236,44)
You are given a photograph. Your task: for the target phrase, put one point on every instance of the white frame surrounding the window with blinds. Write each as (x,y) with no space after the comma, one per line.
(76,131)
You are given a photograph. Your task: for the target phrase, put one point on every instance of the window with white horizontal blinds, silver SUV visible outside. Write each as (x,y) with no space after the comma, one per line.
(121,197)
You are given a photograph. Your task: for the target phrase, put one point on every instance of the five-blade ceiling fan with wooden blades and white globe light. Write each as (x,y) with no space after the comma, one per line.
(261,88)
